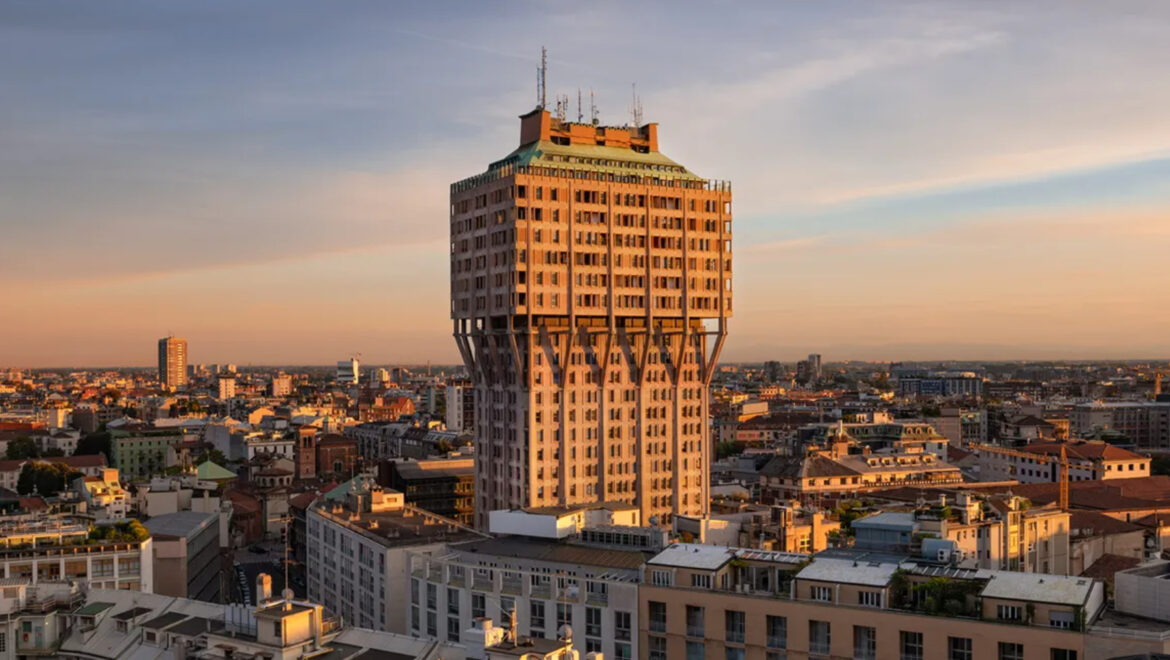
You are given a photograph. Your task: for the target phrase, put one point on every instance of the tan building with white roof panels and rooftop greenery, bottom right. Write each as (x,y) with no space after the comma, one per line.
(725,603)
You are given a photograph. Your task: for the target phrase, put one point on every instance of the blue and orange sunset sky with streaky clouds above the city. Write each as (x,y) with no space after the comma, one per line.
(270,180)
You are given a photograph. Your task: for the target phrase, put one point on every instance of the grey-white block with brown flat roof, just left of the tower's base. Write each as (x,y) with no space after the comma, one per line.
(357,544)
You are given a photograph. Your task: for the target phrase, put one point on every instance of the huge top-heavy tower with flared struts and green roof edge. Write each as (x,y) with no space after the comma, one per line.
(591,287)
